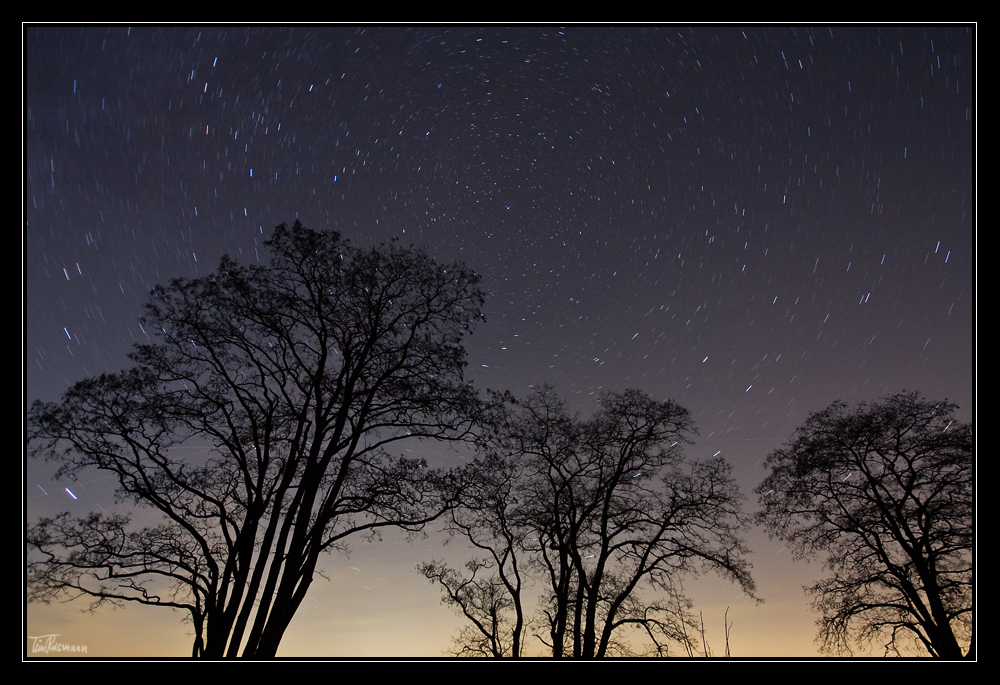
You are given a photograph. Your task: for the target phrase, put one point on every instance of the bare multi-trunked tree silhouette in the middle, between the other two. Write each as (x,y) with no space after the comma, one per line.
(598,511)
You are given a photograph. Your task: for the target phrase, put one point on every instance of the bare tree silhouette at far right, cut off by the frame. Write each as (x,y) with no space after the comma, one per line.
(883,491)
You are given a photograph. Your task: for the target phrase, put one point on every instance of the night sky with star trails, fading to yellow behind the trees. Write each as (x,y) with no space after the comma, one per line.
(753,221)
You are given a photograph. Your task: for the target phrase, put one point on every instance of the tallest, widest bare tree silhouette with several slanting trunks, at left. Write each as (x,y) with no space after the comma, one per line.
(291,379)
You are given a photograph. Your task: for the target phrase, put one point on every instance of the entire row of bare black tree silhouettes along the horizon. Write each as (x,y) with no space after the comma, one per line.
(292,379)
